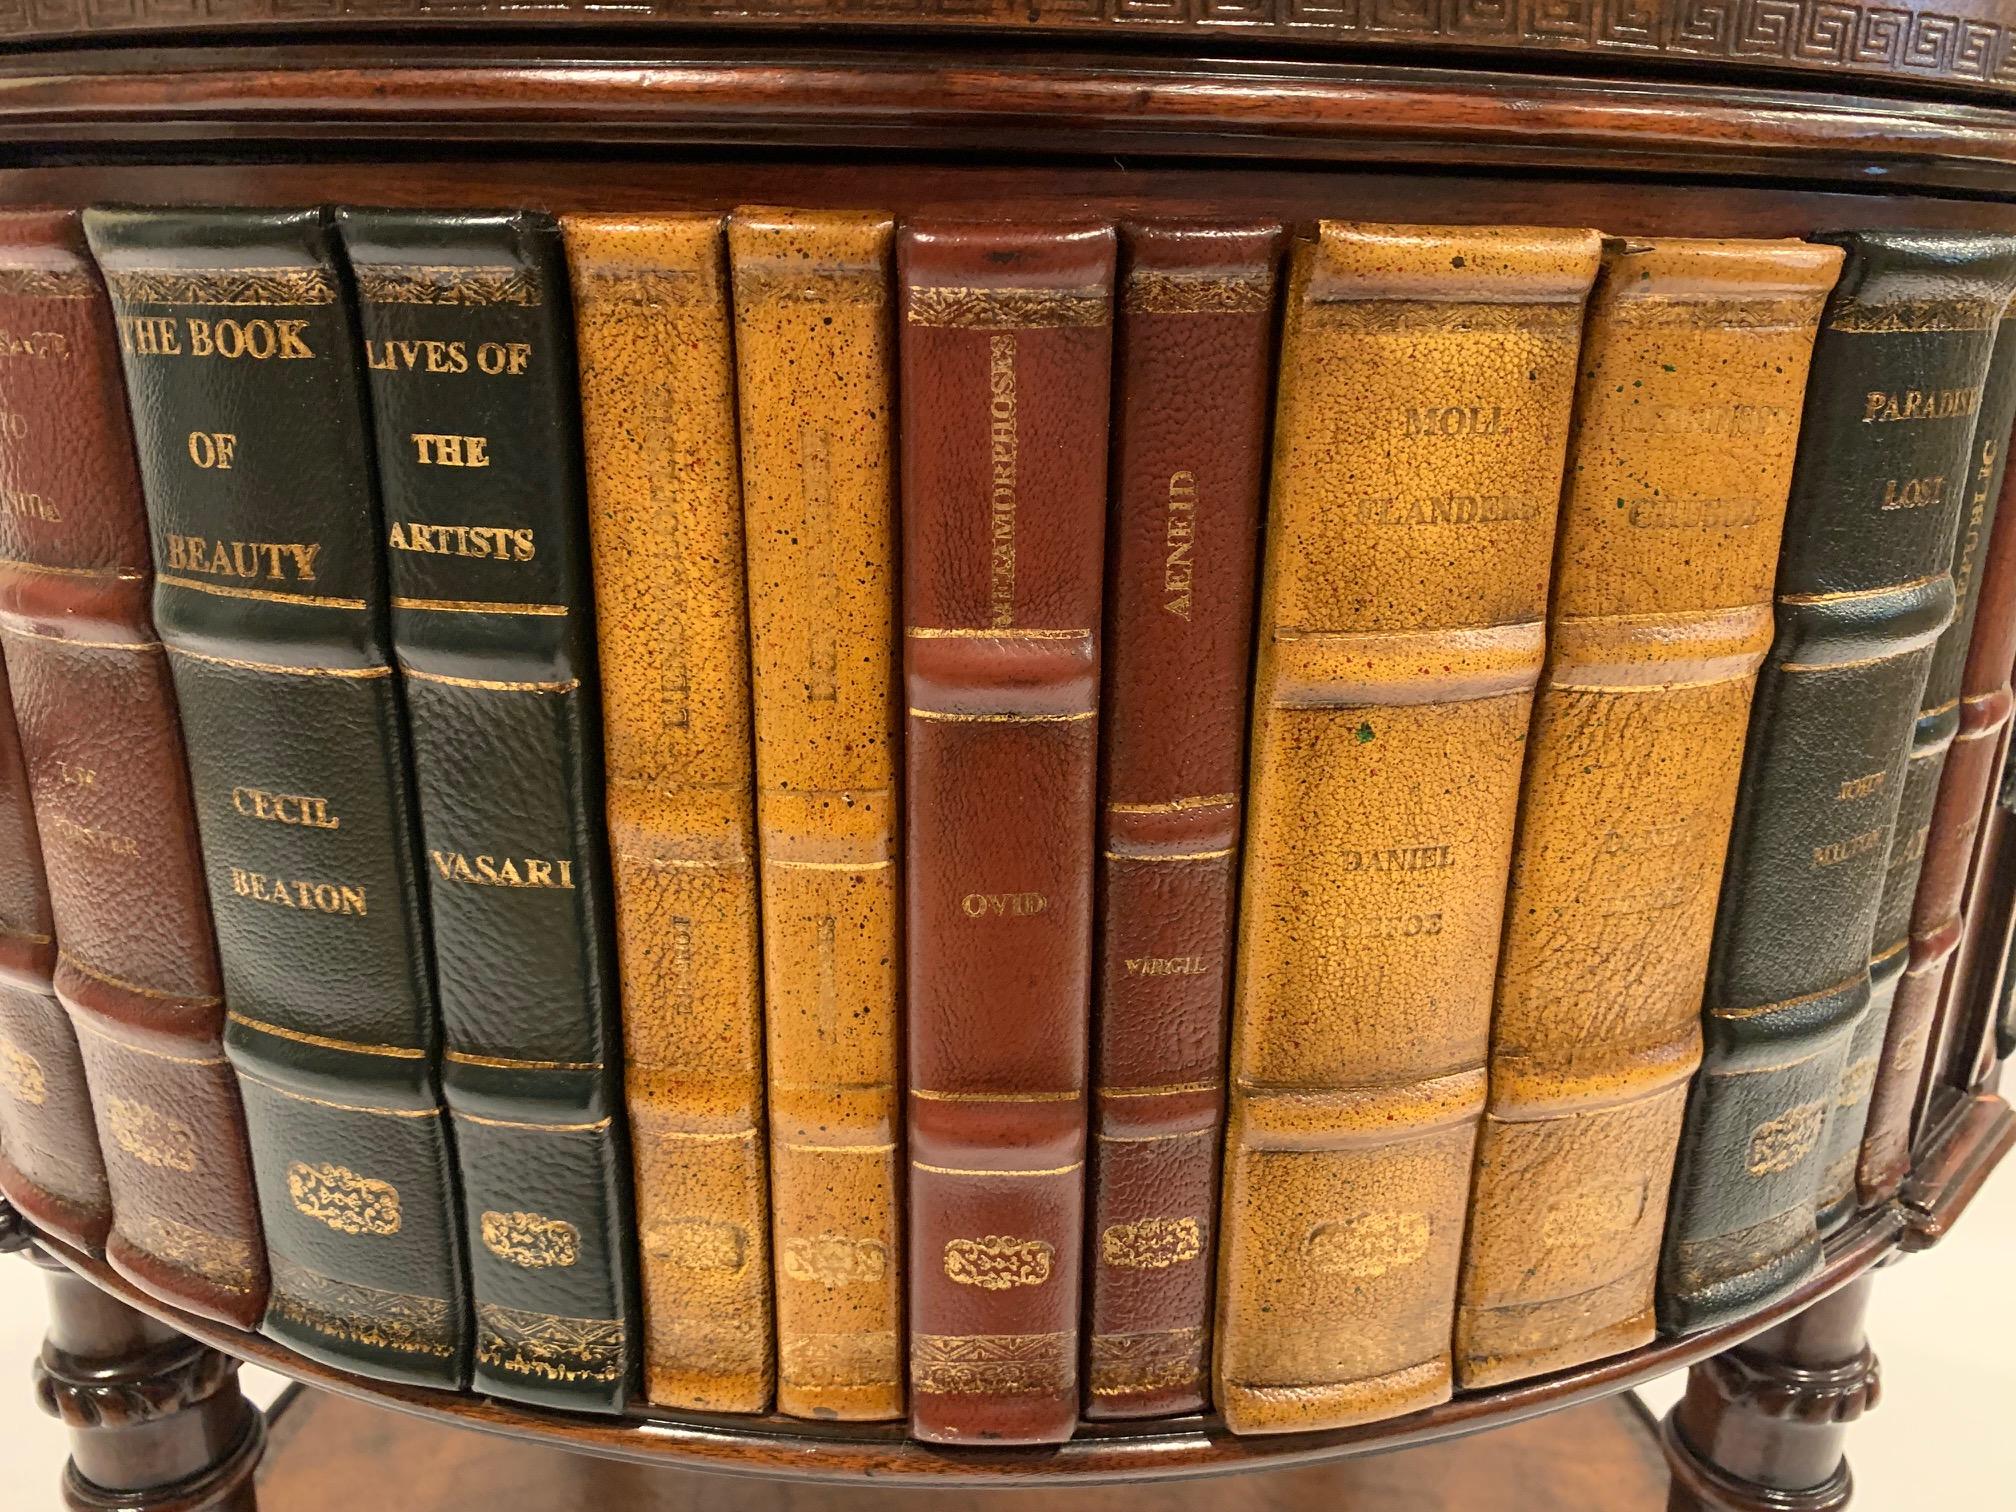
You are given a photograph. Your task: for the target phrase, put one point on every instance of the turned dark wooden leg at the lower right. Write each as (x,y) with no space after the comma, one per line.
(1763,1424)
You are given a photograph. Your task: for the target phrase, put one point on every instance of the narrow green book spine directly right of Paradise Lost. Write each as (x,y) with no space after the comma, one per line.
(1973,493)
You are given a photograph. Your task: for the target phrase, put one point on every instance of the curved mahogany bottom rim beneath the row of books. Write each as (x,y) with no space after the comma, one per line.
(1164,1451)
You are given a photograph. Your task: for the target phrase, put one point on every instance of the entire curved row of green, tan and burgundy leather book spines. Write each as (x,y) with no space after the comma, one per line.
(477,908)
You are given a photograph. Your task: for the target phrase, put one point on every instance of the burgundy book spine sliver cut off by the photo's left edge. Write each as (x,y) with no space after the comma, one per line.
(49,1154)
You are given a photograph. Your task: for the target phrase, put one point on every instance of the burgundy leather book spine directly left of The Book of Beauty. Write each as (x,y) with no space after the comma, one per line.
(138,969)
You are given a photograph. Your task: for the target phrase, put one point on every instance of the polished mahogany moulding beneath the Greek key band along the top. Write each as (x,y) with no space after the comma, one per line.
(1003,102)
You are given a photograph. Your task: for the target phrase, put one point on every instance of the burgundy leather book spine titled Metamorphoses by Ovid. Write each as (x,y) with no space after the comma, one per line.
(1005,376)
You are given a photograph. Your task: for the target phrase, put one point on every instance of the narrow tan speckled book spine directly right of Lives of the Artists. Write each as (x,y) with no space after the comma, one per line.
(666,525)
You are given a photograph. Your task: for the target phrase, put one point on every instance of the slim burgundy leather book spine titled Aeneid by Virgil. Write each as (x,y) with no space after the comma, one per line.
(1194,368)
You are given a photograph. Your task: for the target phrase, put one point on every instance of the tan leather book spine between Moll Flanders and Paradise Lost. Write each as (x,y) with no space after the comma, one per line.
(1688,406)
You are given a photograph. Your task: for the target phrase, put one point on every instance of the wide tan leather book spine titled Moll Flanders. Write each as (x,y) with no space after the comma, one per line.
(1426,390)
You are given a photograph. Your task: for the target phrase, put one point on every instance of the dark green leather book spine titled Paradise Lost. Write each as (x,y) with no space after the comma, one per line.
(1864,592)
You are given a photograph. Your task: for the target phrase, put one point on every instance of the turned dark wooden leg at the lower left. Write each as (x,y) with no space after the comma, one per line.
(156,1420)
